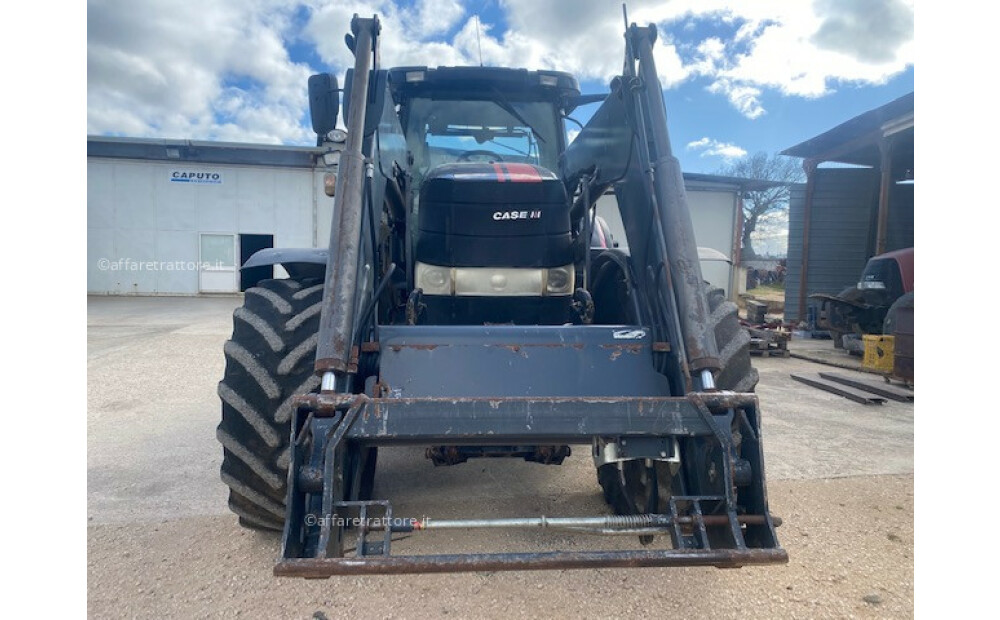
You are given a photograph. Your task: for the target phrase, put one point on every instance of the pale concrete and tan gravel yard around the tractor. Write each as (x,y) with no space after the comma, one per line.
(161,542)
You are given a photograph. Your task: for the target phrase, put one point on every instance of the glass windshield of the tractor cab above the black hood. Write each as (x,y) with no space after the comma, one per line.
(443,131)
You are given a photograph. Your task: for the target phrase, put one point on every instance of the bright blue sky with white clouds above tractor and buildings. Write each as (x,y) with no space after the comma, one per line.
(739,77)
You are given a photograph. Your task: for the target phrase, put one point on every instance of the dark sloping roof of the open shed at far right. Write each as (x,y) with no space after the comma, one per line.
(856,141)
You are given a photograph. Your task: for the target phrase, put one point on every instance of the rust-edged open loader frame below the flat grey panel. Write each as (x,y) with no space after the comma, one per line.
(723,523)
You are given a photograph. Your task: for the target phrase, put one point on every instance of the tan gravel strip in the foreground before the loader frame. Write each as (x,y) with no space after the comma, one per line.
(850,541)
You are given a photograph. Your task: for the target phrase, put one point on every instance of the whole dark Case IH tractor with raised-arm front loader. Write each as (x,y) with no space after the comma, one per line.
(462,306)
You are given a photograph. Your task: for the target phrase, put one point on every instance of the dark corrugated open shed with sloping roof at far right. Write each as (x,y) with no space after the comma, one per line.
(857,202)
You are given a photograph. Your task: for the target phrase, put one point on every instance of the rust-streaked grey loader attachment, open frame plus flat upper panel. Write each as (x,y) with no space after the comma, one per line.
(717,514)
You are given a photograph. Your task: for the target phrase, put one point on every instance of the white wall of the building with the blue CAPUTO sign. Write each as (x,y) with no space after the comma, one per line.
(136,215)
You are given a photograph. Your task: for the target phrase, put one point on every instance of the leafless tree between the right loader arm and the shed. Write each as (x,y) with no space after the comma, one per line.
(758,203)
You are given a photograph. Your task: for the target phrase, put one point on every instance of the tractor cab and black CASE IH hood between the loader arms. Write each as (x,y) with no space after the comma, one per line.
(492,236)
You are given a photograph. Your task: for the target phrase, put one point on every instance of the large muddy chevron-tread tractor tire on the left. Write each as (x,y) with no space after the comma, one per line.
(269,359)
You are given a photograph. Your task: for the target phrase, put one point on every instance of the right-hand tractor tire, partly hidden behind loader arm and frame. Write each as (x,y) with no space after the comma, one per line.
(627,485)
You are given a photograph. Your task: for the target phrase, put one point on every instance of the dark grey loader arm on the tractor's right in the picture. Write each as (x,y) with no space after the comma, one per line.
(626,144)
